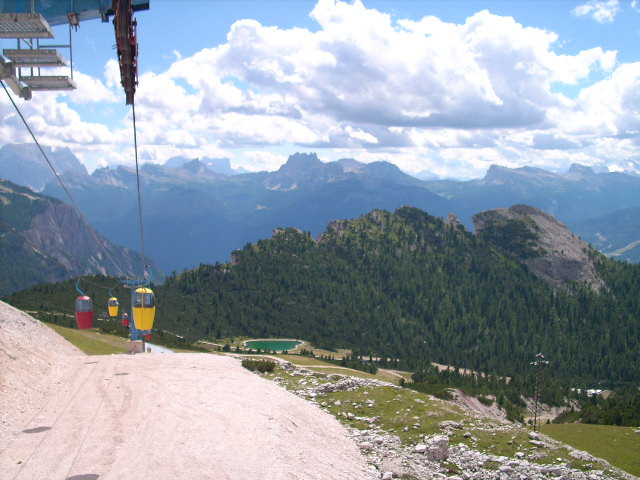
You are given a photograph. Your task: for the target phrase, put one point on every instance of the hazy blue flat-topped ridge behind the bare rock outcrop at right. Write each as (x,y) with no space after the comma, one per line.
(576,198)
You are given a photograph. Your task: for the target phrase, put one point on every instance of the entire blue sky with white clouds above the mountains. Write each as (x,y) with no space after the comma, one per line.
(442,89)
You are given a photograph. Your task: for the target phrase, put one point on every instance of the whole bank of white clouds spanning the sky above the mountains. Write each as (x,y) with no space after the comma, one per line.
(425,94)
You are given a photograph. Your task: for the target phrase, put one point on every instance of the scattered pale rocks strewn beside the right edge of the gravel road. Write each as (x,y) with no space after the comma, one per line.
(391,459)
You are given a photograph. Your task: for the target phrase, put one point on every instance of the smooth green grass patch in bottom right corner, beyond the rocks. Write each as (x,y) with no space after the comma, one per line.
(620,446)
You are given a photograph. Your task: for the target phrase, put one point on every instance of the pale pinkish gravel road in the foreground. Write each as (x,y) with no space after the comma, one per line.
(178,416)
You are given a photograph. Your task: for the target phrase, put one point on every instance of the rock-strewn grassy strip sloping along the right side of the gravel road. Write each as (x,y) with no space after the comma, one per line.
(439,454)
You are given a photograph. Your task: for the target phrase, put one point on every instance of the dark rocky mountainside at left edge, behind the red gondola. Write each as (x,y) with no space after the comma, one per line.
(43,240)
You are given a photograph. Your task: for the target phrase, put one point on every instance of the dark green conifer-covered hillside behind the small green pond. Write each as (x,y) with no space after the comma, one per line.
(409,286)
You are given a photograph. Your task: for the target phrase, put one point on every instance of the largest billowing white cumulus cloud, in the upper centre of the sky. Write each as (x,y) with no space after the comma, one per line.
(360,70)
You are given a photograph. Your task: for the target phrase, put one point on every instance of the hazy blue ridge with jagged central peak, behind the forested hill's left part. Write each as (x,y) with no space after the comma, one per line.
(194,215)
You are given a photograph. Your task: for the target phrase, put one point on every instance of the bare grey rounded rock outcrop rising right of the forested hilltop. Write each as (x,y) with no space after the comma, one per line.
(541,242)
